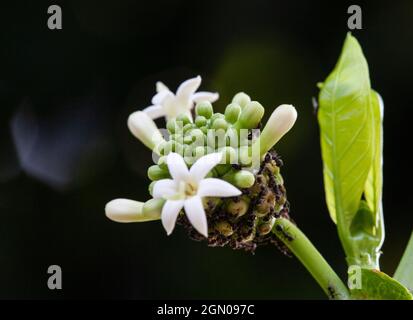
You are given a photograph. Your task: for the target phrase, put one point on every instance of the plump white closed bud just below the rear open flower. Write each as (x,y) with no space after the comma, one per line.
(143,128)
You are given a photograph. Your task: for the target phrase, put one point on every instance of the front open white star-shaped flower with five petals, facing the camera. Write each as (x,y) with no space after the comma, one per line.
(187,188)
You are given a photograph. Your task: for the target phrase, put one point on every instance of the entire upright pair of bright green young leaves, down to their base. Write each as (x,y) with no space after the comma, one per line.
(350,118)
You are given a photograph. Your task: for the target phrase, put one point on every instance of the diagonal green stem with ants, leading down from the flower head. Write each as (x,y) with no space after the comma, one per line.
(309,256)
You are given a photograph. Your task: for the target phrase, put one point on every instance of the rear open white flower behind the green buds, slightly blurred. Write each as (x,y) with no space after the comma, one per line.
(170,105)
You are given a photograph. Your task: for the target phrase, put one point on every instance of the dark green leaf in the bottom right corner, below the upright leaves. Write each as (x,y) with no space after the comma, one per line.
(376,285)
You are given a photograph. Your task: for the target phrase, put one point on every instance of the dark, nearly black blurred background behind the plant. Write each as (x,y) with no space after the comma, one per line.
(65,149)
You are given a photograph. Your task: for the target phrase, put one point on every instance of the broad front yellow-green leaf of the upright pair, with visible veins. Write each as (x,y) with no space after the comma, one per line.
(346,132)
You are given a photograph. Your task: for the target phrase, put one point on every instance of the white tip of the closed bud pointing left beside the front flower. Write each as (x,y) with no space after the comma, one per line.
(124,210)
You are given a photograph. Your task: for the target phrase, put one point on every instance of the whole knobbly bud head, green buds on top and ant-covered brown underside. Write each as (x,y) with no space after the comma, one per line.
(242,222)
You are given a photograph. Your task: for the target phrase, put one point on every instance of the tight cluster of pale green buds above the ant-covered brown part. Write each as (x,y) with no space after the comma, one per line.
(214,132)
